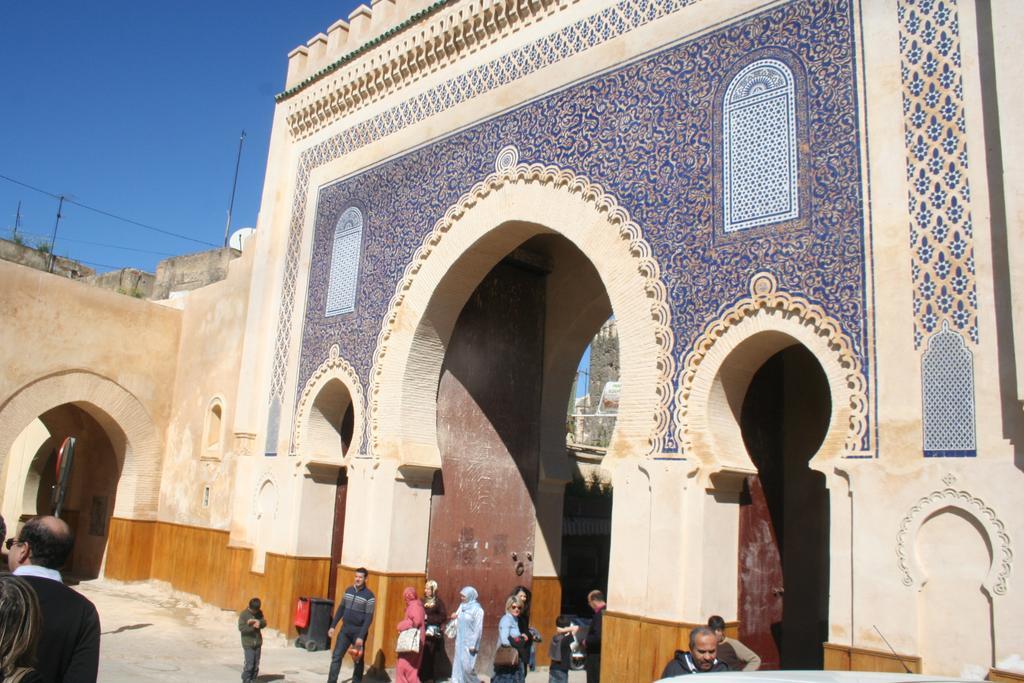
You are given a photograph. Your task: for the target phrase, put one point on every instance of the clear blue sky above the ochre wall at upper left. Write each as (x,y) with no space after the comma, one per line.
(137,108)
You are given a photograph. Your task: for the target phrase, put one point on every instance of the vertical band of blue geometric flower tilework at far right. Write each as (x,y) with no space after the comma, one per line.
(940,195)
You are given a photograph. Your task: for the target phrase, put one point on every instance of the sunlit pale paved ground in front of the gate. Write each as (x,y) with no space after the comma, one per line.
(152,633)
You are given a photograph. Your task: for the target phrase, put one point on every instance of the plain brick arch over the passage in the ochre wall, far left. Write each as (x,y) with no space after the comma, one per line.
(120,414)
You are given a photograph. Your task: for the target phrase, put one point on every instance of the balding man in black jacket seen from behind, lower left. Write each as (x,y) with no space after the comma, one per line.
(69,646)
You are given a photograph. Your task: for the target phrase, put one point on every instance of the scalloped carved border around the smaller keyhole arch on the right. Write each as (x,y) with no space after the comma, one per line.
(766,298)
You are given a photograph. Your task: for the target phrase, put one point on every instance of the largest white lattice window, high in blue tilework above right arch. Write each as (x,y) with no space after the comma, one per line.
(759,125)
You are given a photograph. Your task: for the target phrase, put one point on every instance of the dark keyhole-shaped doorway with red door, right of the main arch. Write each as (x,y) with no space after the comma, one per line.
(785,520)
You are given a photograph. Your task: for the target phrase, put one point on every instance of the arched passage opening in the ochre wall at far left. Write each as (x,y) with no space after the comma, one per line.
(92,491)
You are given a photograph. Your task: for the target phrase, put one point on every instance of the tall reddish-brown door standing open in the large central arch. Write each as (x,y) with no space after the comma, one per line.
(483,514)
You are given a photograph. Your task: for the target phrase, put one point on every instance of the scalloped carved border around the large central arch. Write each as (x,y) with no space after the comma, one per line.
(509,173)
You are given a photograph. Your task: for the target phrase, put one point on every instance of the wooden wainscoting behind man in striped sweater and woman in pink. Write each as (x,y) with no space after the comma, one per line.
(390,610)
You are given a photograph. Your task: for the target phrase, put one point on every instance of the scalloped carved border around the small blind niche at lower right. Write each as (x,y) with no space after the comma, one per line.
(1003,554)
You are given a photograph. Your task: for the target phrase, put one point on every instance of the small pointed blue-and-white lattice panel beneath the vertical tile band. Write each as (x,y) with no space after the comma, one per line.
(948,394)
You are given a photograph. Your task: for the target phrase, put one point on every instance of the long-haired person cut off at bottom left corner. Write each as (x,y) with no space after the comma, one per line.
(21,624)
